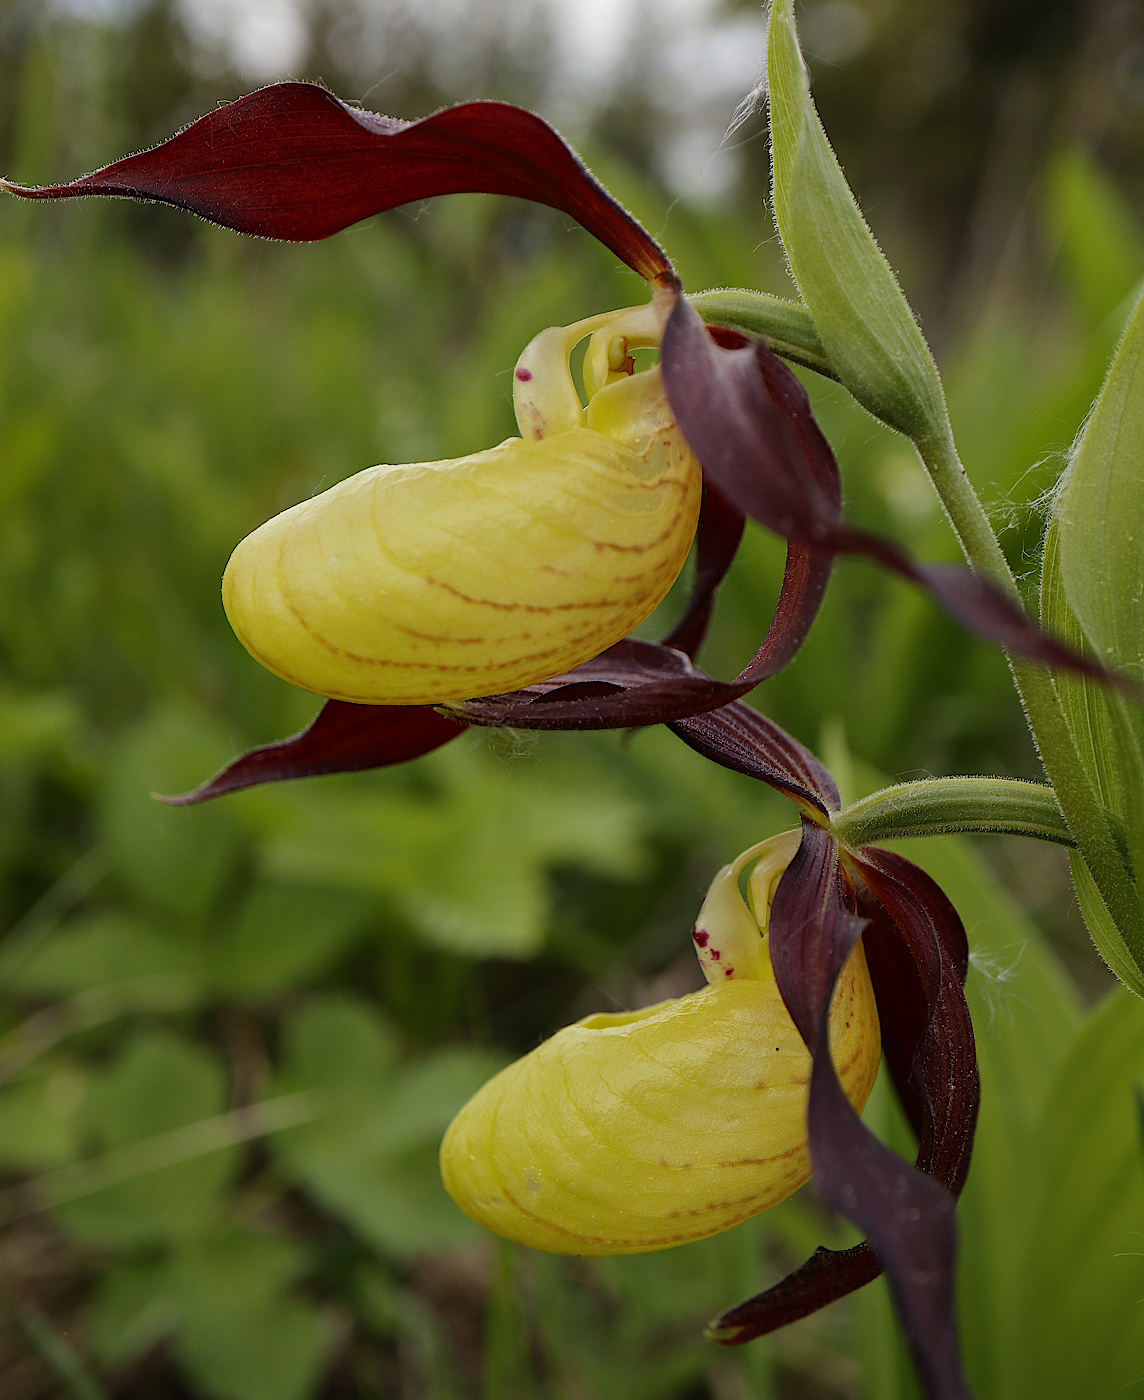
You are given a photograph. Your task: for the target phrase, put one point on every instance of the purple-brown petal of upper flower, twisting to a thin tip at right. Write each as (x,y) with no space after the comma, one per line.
(750,422)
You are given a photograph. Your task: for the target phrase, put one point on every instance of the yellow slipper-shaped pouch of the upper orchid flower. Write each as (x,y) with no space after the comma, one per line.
(449,580)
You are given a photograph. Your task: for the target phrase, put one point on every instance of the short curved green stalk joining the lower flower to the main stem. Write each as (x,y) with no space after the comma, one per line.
(936,807)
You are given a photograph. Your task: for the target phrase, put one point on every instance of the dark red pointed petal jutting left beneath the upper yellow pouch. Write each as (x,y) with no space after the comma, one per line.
(344,738)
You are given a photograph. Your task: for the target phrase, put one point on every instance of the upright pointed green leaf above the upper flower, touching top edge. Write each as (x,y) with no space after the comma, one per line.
(865,323)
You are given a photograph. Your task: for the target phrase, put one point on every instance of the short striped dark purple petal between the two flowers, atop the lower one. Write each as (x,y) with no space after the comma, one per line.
(743,740)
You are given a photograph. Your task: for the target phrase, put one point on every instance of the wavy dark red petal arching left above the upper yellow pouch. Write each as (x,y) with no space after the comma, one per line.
(293,162)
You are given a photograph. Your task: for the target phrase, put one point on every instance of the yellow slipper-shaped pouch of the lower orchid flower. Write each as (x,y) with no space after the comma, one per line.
(638,1132)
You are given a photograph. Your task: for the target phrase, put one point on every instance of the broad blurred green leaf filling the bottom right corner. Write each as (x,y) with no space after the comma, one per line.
(1077,1328)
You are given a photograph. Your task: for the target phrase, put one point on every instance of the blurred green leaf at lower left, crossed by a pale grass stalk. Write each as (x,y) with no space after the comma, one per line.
(159,1083)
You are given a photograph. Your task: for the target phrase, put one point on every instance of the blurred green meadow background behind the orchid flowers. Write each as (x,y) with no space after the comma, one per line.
(230,1038)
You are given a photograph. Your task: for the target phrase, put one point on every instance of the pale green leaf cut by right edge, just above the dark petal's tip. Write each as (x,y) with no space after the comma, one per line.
(1100,514)
